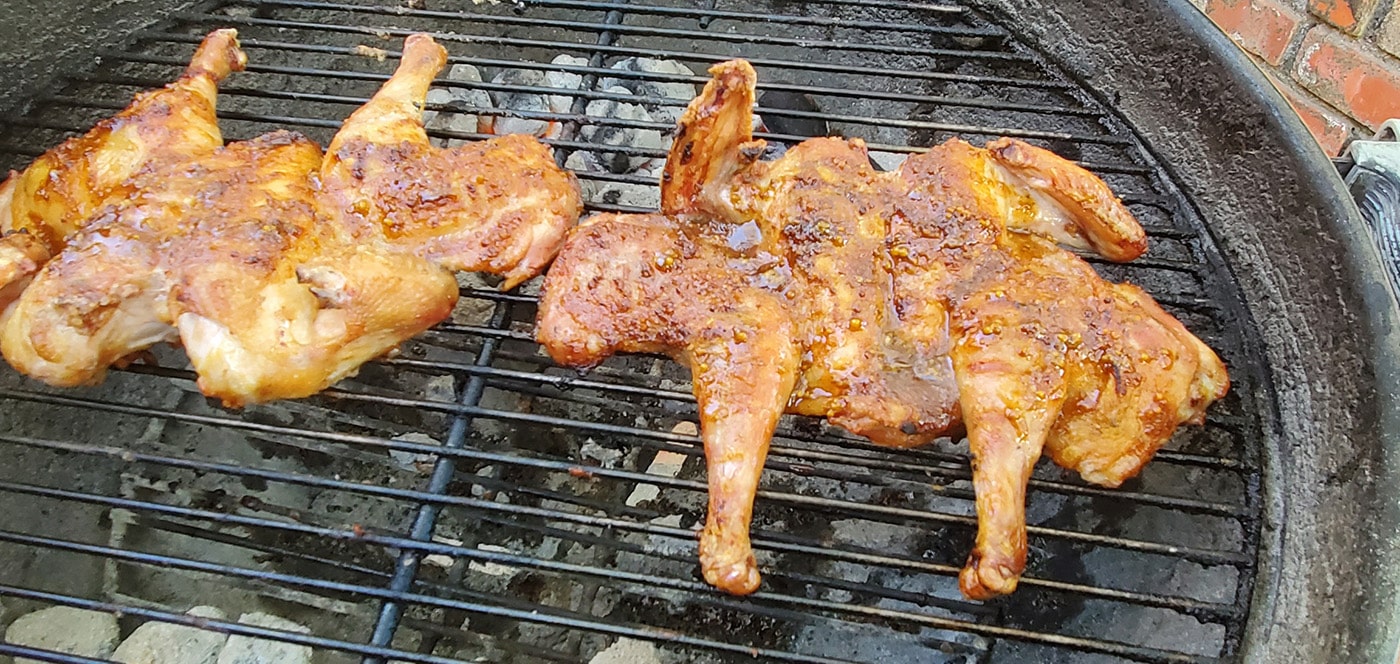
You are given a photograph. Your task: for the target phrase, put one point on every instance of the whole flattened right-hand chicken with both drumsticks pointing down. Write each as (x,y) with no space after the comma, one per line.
(901,306)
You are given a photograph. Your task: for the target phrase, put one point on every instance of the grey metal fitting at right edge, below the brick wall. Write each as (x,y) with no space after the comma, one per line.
(1375,183)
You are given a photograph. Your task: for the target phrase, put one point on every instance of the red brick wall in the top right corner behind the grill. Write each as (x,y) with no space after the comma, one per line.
(1336,61)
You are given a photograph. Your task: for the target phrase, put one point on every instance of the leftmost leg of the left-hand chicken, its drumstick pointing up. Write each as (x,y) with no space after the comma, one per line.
(43,207)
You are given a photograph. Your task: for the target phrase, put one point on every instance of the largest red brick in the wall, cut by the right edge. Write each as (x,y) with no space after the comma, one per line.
(1345,75)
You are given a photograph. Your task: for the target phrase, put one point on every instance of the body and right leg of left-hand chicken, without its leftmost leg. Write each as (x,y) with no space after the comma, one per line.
(282,270)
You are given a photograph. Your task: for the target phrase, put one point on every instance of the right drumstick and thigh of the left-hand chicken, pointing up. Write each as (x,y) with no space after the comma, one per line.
(499,207)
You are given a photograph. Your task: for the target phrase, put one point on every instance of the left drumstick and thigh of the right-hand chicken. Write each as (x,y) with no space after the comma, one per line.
(671,285)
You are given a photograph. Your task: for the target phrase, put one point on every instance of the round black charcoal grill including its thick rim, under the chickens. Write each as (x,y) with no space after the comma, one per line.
(468,501)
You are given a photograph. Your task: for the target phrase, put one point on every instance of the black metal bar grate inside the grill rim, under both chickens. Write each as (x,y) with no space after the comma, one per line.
(468,501)
